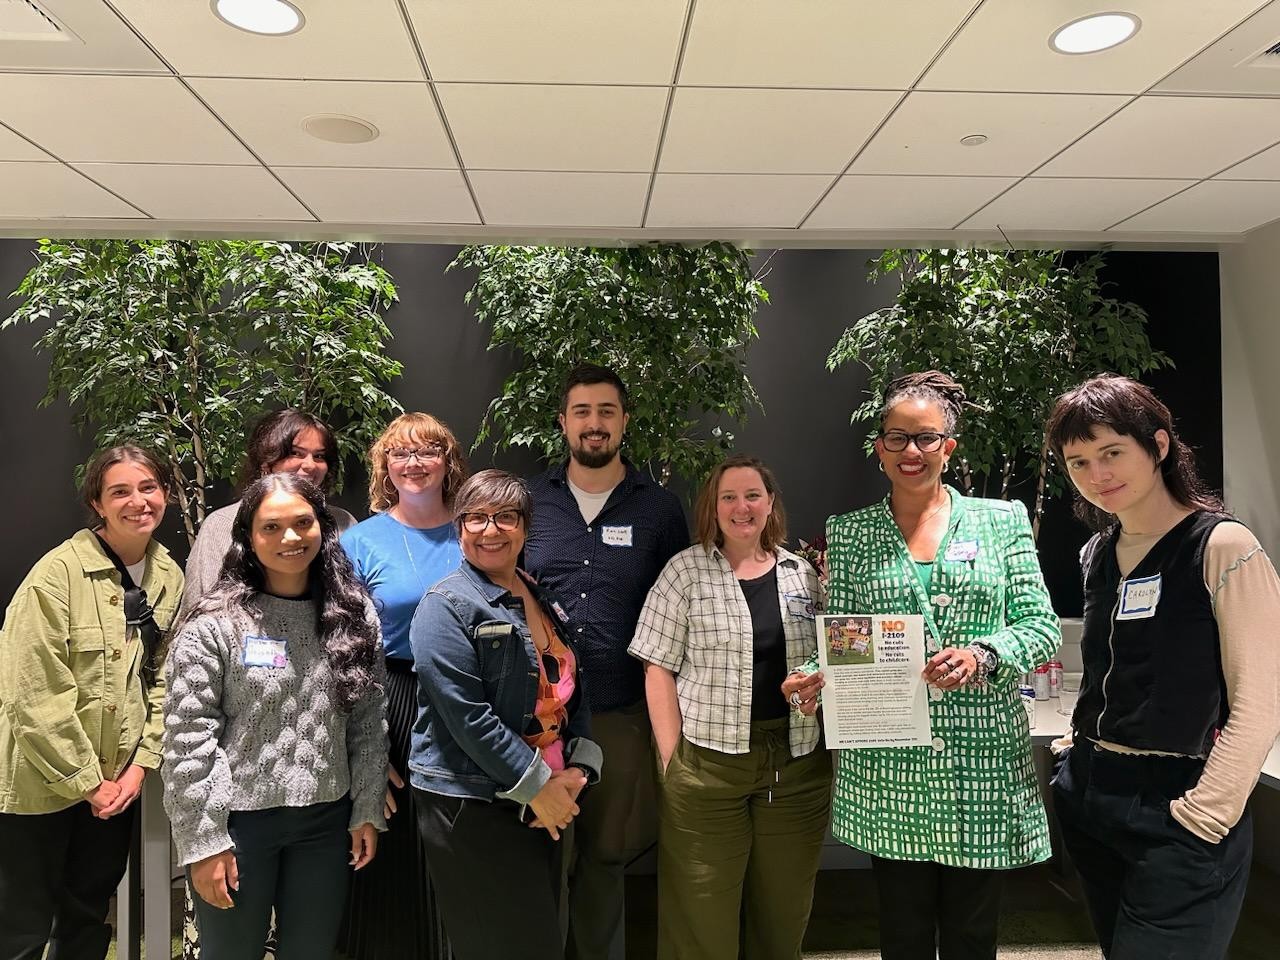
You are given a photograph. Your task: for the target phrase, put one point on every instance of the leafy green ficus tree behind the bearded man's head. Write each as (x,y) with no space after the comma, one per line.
(674,322)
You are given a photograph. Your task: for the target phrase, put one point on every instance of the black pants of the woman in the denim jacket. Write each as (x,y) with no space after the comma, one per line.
(497,880)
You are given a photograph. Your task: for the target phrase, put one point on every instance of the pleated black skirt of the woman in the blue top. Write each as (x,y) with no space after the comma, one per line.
(392,912)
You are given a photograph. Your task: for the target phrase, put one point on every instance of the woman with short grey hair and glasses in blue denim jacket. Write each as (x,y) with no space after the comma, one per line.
(501,748)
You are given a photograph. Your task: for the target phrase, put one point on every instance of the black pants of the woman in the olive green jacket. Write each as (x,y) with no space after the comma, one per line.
(58,872)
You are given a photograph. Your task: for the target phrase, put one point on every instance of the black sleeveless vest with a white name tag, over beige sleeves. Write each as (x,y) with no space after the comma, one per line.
(1153,678)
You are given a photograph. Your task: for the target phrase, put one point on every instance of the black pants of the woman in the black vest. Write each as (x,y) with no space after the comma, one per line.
(1154,889)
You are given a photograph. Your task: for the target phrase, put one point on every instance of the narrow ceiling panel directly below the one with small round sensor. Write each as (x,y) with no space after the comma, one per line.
(904,203)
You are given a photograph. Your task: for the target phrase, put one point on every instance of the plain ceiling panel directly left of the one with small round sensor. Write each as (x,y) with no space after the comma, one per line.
(770,131)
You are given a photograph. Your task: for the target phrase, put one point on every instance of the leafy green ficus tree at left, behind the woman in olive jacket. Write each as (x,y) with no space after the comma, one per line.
(177,345)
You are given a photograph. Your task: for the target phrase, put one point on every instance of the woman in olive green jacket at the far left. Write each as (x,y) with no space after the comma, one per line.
(81,697)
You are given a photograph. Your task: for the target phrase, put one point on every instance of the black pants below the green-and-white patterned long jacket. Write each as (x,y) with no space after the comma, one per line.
(930,911)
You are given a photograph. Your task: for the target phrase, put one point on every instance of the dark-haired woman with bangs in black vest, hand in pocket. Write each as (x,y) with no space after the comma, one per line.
(1180,702)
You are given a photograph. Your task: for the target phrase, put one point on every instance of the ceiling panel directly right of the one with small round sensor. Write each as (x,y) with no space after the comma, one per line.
(1182,138)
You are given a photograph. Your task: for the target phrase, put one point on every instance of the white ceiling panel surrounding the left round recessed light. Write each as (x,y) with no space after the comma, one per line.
(341,40)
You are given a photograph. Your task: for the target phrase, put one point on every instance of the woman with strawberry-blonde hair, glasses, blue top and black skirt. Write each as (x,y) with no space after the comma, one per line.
(403,550)
